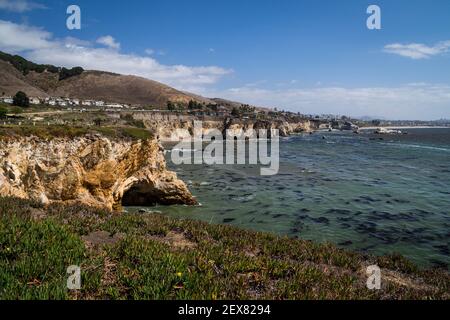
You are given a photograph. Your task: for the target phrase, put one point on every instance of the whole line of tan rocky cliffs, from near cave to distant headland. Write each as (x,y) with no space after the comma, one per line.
(100,171)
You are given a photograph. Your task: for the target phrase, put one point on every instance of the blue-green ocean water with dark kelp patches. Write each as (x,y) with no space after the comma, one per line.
(357,191)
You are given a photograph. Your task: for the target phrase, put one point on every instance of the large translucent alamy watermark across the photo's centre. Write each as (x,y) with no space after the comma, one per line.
(251,146)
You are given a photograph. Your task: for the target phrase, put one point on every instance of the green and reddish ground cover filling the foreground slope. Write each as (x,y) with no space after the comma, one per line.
(149,256)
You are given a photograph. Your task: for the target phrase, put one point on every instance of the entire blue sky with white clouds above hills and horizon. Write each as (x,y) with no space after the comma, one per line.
(310,56)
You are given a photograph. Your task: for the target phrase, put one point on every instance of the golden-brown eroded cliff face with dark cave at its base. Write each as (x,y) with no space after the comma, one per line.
(92,170)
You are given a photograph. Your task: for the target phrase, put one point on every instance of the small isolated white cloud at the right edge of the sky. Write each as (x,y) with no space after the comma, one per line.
(418,50)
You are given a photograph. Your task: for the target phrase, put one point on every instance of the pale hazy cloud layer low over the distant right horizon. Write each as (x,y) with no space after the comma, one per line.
(424,101)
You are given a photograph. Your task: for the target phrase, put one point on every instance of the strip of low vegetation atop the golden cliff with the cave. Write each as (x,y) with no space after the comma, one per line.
(64,131)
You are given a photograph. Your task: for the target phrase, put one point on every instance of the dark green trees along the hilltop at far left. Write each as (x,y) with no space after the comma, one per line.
(25,66)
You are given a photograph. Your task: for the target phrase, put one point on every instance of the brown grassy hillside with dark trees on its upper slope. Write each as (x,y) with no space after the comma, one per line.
(17,74)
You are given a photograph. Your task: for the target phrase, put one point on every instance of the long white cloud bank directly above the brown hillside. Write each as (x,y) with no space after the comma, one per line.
(39,45)
